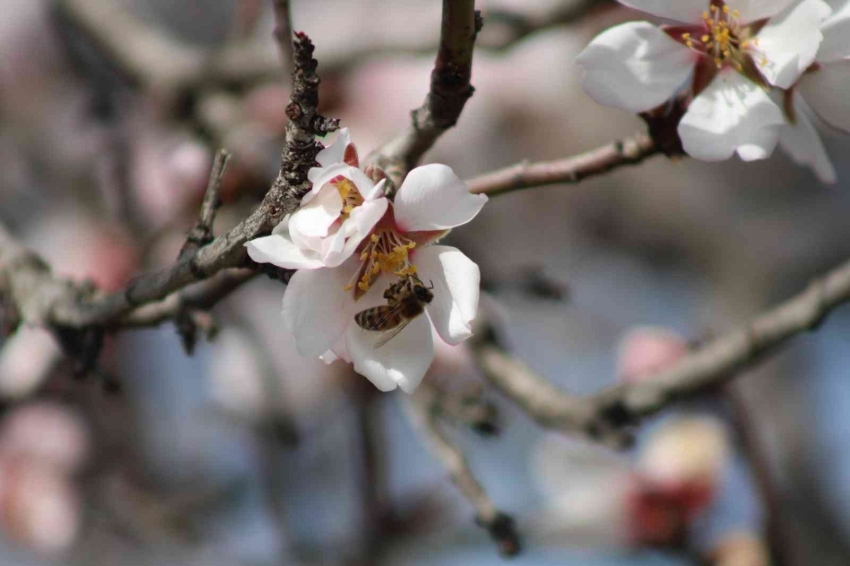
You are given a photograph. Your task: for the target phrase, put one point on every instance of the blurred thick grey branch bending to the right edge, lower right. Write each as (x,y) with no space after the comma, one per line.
(607,414)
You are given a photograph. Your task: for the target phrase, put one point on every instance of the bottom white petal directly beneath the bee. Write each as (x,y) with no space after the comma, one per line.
(401,362)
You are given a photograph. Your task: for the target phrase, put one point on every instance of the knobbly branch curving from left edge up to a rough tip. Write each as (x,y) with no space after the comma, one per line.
(53,302)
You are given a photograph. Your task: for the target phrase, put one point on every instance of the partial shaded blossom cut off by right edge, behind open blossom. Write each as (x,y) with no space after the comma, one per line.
(820,89)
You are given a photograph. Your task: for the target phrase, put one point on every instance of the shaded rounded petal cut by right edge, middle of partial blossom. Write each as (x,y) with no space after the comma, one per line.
(825,90)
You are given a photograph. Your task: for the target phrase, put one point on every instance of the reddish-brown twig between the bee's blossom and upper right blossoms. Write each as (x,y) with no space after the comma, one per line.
(629,151)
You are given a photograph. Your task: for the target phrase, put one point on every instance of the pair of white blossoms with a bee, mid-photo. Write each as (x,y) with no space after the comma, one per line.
(363,256)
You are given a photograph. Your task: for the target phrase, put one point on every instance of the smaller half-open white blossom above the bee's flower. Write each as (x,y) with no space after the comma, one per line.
(334,217)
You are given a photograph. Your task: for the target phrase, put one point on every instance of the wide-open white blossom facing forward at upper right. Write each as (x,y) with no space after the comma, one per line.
(732,52)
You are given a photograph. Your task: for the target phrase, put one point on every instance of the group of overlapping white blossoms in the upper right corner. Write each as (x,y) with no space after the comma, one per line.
(757,73)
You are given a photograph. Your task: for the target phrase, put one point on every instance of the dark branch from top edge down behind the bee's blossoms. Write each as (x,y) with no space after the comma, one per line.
(450,89)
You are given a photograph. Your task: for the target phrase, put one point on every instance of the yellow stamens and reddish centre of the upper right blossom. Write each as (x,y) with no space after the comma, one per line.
(723,38)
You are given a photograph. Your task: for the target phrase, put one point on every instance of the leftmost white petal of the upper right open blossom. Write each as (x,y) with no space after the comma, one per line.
(634,66)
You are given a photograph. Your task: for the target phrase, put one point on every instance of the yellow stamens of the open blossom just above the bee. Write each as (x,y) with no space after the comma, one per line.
(386,252)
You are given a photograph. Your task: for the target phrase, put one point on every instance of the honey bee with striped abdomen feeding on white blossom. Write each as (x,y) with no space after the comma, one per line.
(406,299)
